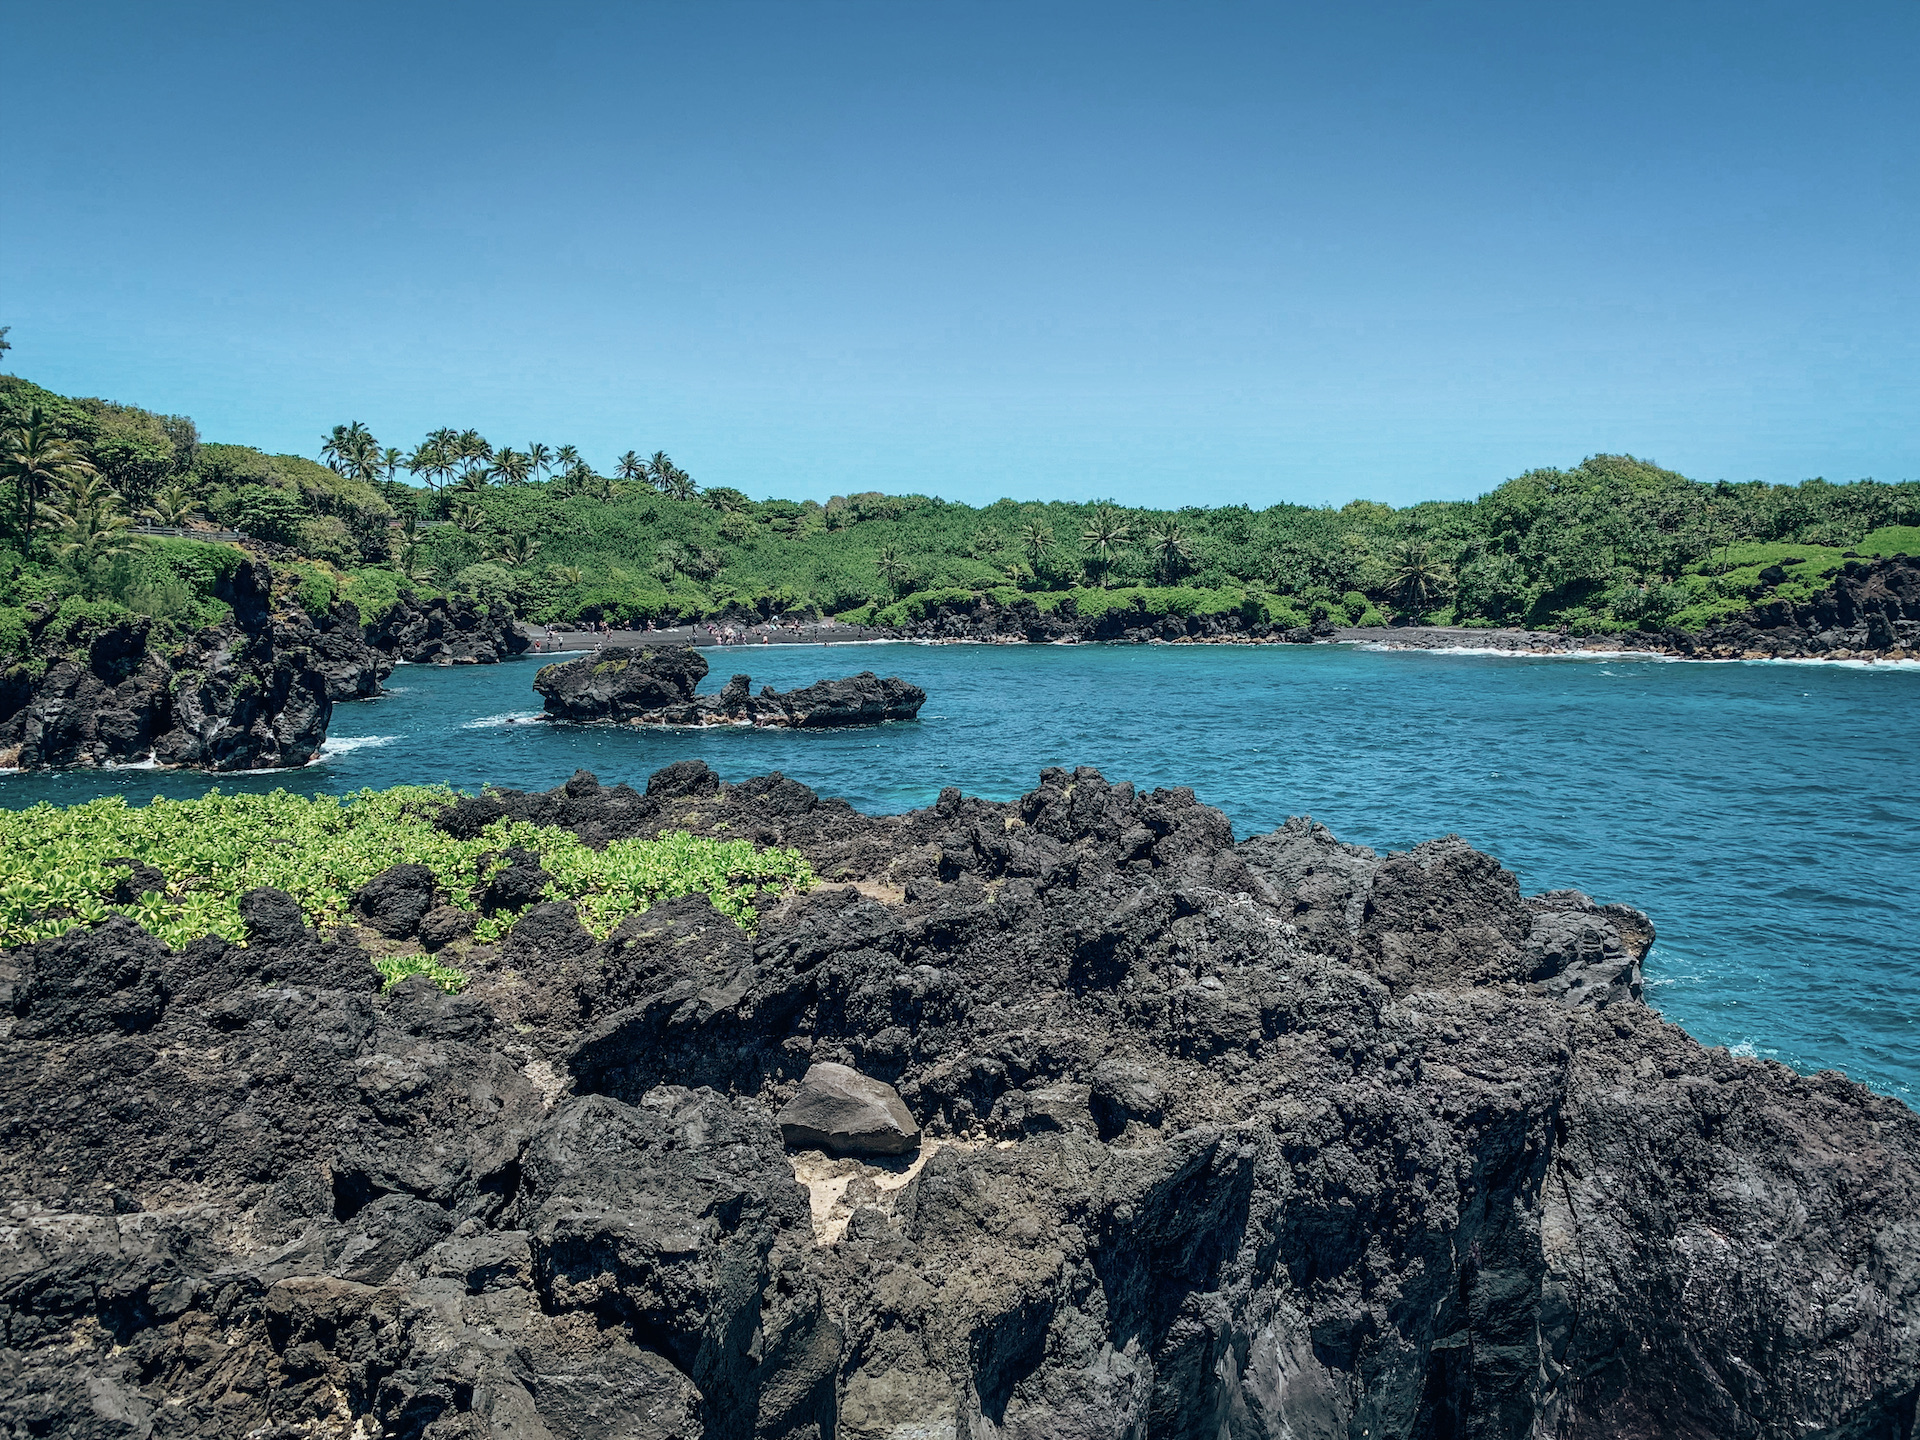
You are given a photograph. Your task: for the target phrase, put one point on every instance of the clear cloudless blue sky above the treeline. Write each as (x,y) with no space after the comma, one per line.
(1164,254)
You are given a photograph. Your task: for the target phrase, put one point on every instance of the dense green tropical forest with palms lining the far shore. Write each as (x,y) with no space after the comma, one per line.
(1610,544)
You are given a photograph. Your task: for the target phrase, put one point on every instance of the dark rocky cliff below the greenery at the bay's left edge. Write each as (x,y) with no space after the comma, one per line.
(249,694)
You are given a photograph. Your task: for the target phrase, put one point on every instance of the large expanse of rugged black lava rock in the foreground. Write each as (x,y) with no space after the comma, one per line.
(1195,1140)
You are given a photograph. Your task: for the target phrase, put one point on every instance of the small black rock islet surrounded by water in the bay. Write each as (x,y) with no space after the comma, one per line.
(658,688)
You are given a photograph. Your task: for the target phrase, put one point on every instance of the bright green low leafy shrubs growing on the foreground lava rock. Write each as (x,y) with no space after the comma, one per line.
(322,850)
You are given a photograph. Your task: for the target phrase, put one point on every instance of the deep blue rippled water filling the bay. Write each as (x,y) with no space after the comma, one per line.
(1765,815)
